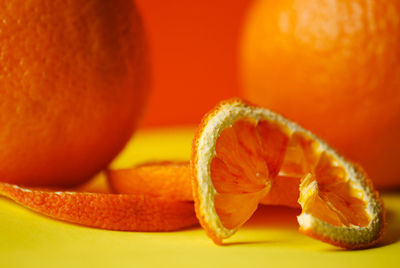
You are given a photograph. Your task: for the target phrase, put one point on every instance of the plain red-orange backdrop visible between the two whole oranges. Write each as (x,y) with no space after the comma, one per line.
(194,55)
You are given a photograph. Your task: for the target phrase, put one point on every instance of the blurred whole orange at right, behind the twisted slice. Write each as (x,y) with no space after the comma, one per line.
(333,66)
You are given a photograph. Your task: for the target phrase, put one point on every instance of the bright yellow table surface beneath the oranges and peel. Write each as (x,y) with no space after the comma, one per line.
(269,239)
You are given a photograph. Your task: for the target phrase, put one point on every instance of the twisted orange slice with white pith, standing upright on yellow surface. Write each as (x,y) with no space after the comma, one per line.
(241,151)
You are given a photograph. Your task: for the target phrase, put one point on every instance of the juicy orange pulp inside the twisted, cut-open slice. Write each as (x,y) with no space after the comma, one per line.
(253,157)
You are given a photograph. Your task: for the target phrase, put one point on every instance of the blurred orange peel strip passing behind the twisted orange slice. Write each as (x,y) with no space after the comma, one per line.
(172,180)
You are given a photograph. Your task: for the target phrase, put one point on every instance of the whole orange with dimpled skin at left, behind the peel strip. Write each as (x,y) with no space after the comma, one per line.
(72,83)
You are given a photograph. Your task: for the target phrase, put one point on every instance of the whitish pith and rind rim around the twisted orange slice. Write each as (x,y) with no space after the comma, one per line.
(229,113)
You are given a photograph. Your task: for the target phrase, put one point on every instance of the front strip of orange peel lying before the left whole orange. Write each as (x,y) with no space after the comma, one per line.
(107,211)
